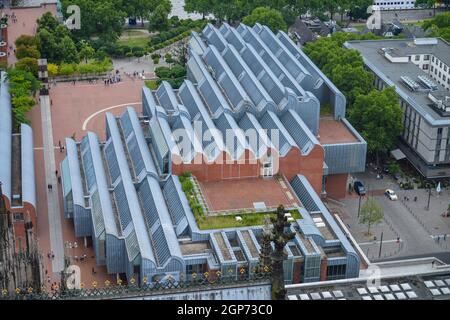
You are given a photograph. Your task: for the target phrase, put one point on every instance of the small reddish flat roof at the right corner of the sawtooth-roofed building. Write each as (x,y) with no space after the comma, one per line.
(333,131)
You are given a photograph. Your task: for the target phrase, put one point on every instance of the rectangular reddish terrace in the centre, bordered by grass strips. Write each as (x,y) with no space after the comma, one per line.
(244,193)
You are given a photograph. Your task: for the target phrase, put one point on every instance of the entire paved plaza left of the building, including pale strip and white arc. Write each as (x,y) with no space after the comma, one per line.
(71,110)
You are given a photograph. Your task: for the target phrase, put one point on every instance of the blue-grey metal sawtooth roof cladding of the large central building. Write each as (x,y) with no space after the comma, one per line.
(240,79)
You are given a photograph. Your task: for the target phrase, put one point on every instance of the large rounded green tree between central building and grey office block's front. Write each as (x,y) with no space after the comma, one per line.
(378,117)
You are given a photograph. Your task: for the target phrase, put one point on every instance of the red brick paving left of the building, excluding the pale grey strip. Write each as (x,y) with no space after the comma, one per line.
(71,105)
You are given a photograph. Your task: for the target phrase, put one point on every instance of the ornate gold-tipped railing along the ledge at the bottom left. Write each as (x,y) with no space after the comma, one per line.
(118,291)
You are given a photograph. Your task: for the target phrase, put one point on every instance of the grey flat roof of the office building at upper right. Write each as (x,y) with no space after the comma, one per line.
(370,50)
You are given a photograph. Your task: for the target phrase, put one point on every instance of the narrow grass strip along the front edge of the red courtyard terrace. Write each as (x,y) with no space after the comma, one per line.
(229,221)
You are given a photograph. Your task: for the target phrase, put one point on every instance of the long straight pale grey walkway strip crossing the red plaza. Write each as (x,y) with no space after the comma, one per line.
(56,239)
